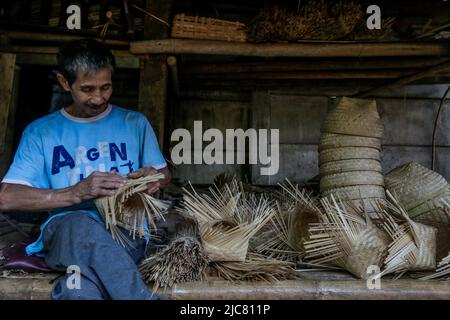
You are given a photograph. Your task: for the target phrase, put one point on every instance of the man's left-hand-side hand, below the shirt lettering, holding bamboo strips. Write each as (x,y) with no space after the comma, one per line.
(98,184)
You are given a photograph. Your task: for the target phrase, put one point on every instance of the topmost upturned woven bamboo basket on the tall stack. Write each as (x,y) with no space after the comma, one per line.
(358,117)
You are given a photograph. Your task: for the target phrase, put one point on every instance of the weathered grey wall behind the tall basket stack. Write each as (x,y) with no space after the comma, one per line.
(407,113)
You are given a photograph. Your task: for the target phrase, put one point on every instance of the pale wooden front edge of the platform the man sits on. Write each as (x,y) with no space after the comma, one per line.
(39,286)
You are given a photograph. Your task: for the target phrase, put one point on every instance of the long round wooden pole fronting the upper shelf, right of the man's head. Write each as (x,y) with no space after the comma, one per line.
(303,49)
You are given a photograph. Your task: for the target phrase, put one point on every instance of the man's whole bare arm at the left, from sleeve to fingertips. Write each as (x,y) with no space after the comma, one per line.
(24,198)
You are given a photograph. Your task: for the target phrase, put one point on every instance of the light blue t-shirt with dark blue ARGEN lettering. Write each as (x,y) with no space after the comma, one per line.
(59,150)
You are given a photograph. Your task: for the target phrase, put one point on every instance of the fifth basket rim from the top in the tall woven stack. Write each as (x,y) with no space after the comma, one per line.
(354,178)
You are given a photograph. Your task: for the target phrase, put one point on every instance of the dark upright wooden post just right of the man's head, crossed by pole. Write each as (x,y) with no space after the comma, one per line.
(154,74)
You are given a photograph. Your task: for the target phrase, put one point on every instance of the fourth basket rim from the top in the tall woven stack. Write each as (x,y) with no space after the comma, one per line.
(349,166)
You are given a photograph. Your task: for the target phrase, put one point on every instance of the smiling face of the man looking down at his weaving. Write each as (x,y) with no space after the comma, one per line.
(91,93)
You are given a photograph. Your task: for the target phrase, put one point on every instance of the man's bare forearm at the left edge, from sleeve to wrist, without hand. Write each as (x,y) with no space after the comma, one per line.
(24,198)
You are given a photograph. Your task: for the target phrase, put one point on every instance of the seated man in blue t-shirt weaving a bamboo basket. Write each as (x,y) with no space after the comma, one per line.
(72,156)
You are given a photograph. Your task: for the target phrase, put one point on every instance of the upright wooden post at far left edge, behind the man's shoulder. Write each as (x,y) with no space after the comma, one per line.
(7,106)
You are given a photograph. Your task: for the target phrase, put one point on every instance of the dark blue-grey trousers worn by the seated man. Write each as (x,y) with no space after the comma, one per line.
(107,269)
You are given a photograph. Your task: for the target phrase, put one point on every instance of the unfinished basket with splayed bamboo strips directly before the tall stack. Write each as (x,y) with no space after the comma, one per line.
(346,237)
